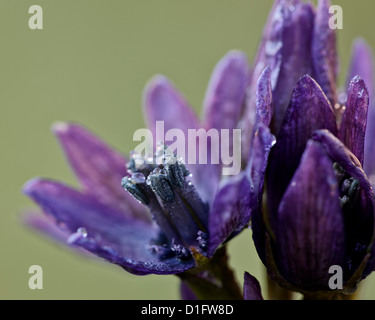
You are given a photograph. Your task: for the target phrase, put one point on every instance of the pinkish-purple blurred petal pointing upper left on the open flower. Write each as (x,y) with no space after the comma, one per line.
(98,168)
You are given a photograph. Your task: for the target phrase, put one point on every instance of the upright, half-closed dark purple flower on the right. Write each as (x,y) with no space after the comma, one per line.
(320,203)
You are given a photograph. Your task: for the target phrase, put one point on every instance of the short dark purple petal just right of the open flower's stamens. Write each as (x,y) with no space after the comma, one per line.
(230,211)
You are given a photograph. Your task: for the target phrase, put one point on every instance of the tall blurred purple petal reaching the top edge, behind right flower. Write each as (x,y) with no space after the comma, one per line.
(286,49)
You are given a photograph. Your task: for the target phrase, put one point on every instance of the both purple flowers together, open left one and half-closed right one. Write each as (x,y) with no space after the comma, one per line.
(305,184)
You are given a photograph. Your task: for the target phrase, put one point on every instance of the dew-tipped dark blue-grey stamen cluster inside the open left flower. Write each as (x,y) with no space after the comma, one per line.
(161,183)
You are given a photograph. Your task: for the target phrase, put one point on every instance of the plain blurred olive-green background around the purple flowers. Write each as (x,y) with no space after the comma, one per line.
(89,65)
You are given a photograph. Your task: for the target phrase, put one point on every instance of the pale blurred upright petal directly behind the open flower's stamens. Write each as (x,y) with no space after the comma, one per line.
(162,102)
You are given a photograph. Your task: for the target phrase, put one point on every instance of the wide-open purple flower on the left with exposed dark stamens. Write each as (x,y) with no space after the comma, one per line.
(192,213)
